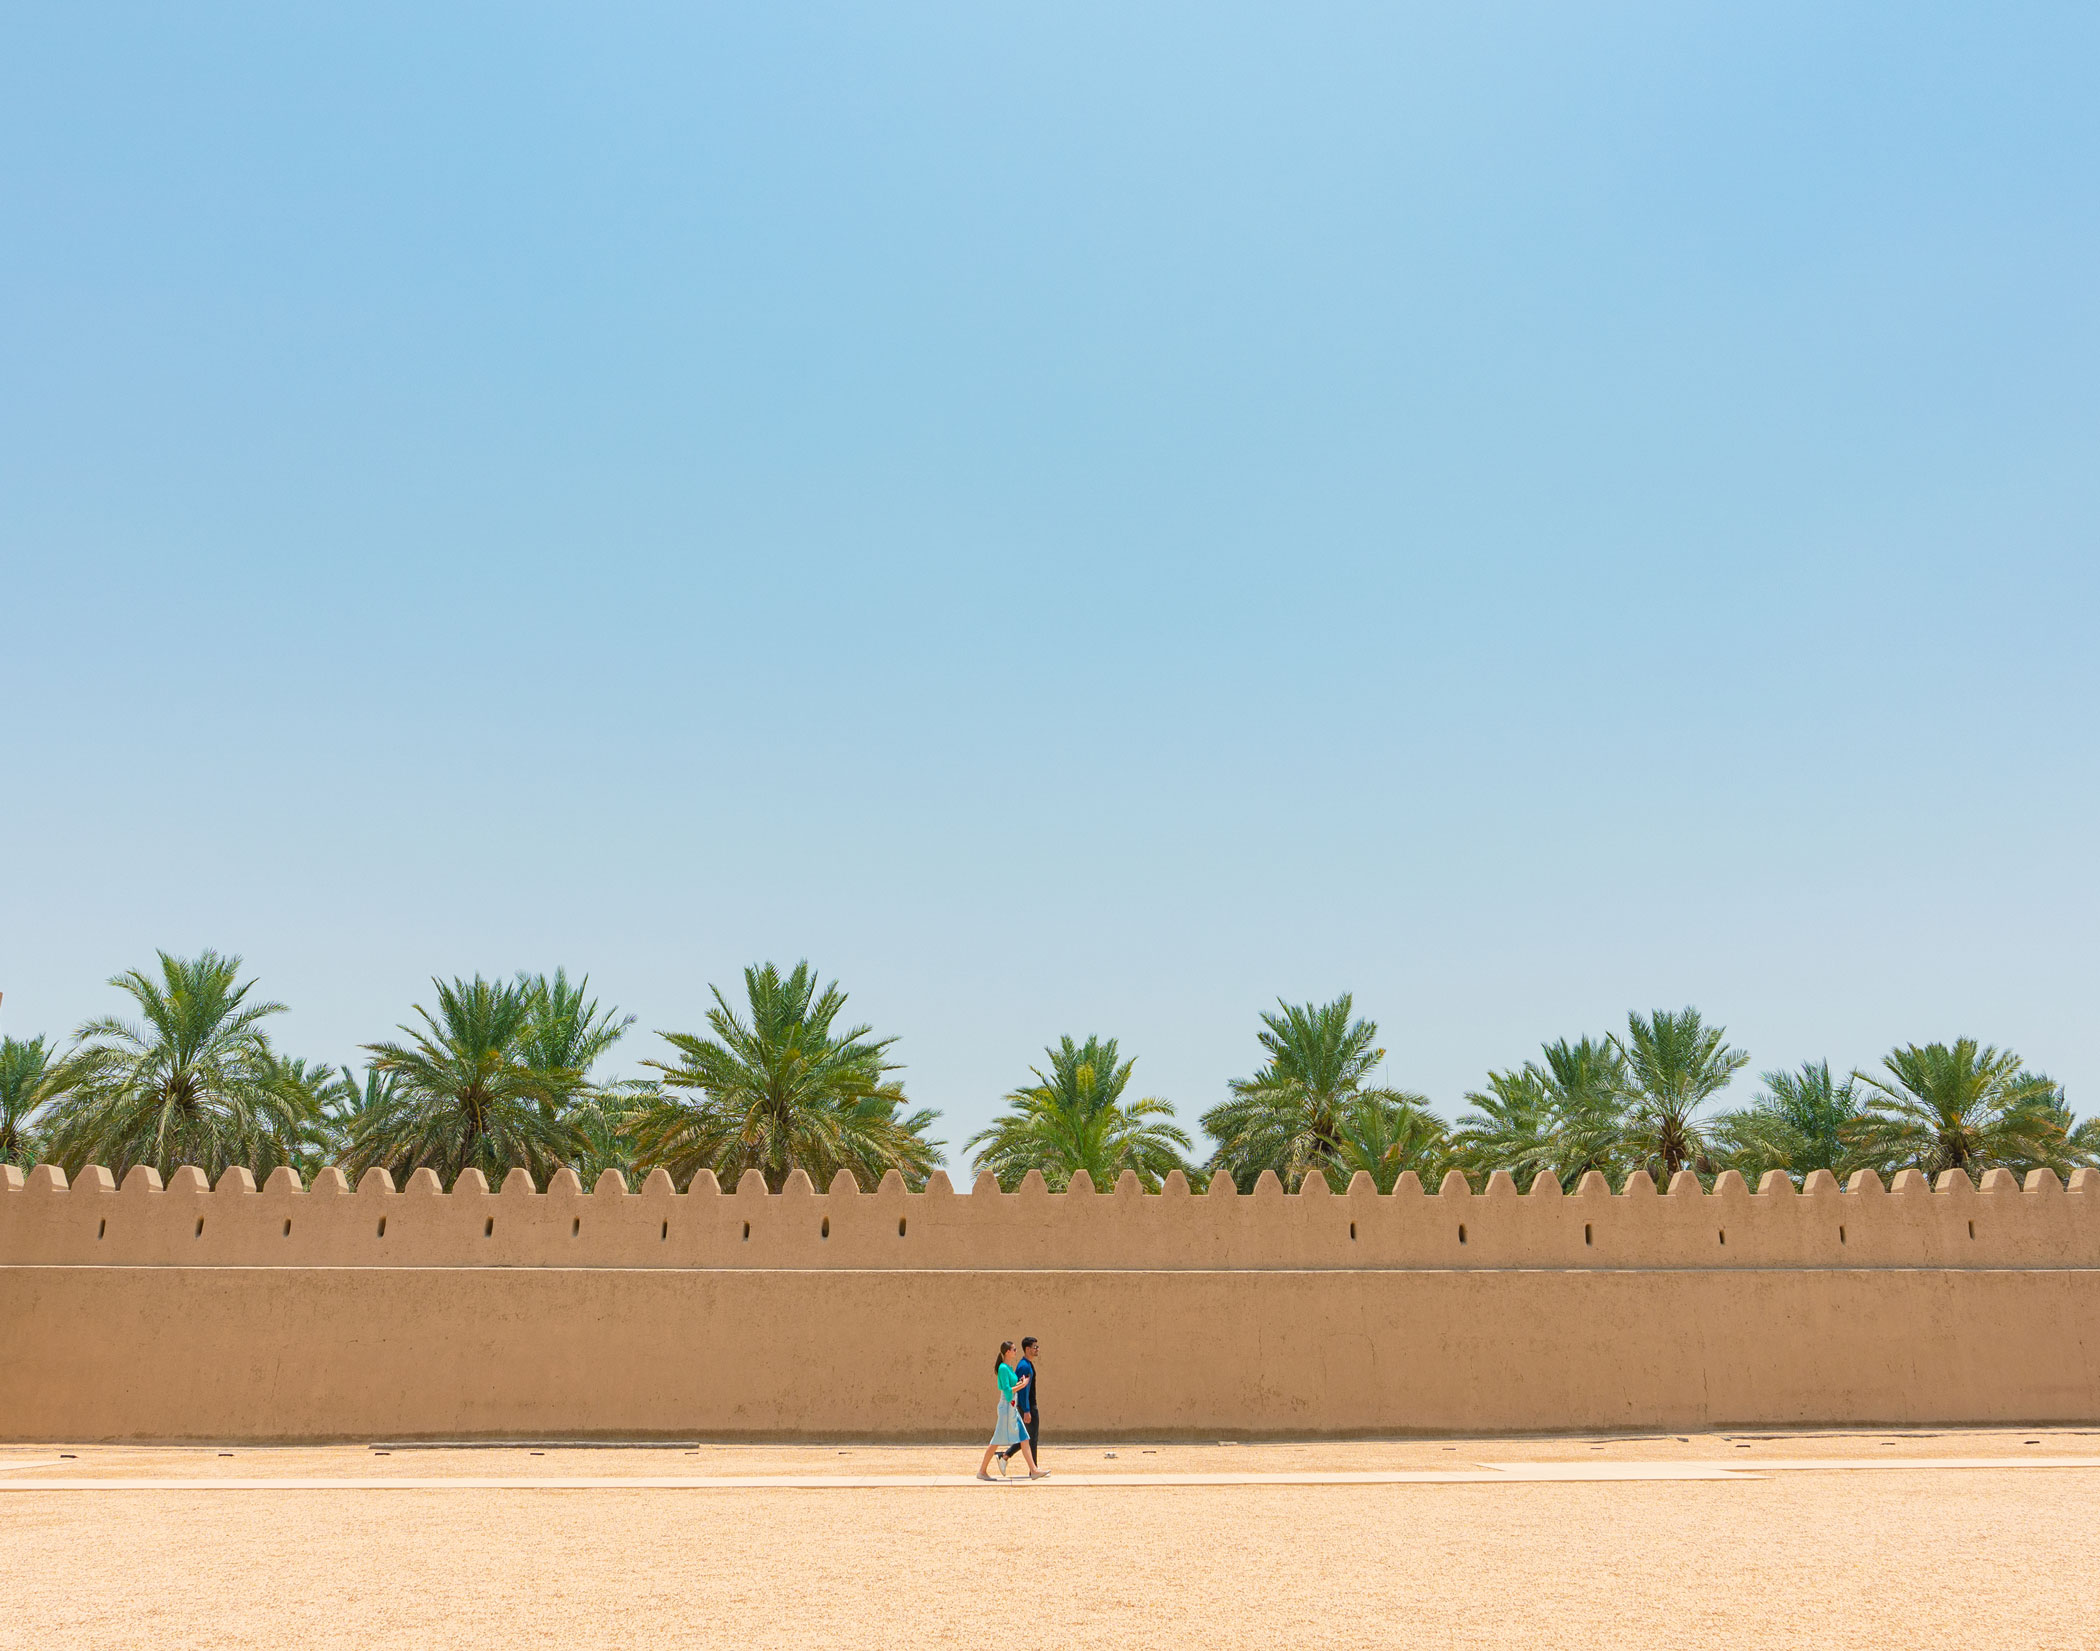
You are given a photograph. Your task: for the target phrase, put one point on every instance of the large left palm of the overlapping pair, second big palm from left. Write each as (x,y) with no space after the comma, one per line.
(467,1091)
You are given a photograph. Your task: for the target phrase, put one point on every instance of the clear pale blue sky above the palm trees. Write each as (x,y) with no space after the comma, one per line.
(1072,520)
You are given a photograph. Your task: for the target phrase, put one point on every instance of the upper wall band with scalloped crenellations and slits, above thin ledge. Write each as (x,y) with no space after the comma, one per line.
(282,1224)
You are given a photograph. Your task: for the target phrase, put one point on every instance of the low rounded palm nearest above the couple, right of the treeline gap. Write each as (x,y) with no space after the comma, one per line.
(1076,1119)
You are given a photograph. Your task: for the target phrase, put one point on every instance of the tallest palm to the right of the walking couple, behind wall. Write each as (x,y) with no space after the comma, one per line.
(1288,1116)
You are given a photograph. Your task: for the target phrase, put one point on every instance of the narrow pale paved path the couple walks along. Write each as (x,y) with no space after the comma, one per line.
(1488,1474)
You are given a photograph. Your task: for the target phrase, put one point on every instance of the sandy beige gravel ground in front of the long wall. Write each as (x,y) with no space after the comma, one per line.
(1916,1558)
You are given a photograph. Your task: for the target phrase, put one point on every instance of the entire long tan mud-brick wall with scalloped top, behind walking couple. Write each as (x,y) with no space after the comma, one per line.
(335,1314)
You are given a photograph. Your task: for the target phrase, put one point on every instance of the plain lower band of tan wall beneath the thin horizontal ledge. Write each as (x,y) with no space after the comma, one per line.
(453,1354)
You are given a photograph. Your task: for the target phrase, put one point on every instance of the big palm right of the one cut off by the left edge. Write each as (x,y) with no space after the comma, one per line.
(194,1083)
